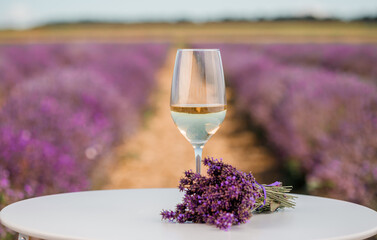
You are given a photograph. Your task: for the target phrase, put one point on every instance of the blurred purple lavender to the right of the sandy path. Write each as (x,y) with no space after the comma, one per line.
(317,104)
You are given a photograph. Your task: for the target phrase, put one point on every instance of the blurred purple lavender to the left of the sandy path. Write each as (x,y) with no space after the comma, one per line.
(63,107)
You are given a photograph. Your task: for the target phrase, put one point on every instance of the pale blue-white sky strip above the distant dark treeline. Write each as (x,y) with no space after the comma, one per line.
(21,14)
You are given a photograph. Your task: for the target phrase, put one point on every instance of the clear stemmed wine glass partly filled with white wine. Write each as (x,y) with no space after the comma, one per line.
(197,100)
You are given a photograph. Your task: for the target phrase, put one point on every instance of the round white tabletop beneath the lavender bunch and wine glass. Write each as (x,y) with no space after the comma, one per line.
(134,214)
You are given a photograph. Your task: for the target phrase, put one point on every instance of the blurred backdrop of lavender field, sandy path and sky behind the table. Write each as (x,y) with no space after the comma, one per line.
(85,90)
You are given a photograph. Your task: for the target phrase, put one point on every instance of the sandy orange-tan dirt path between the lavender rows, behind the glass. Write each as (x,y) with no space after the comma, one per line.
(158,154)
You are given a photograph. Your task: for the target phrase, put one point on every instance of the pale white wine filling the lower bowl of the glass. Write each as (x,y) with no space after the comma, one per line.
(198,122)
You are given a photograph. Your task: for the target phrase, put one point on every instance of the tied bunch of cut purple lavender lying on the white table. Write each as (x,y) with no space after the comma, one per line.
(226,197)
